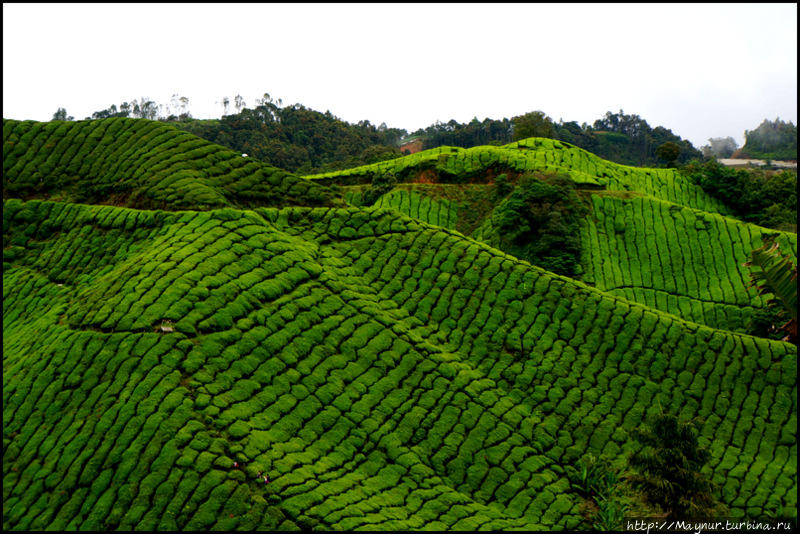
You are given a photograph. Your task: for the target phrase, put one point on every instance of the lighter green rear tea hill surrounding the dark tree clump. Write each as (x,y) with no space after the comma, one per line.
(651,236)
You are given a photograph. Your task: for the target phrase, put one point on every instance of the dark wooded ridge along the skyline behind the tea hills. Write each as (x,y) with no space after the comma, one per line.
(306,141)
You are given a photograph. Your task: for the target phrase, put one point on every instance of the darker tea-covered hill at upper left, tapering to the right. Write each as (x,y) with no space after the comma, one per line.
(142,164)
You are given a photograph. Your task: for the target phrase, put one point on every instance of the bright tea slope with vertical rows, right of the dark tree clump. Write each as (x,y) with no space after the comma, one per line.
(678,260)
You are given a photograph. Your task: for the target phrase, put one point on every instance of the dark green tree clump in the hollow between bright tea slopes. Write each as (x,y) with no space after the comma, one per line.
(539,222)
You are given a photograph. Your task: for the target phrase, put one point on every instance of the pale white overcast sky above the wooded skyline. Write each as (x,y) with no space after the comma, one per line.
(700,70)
